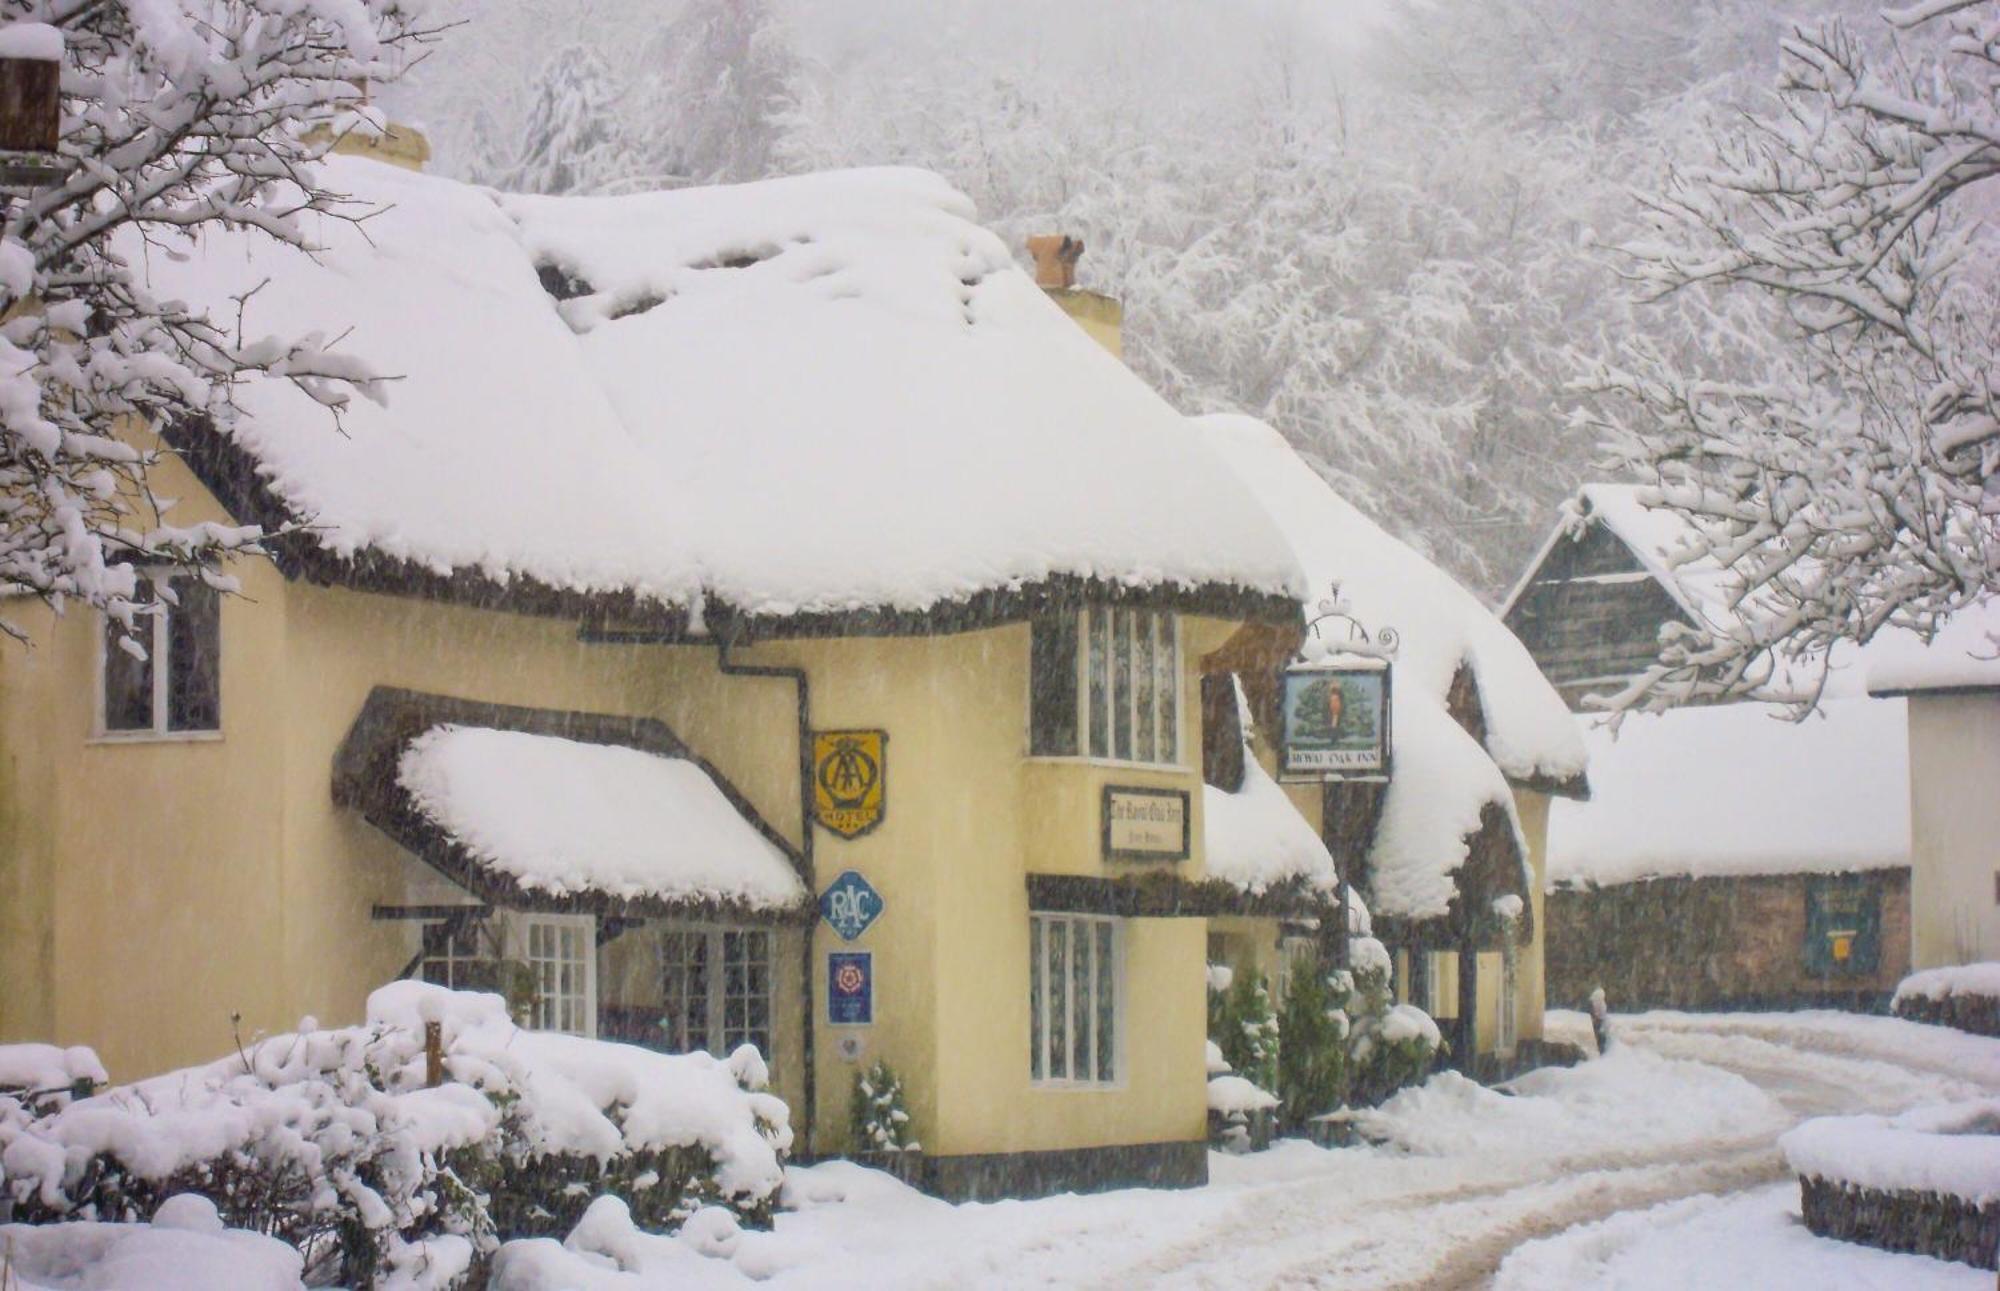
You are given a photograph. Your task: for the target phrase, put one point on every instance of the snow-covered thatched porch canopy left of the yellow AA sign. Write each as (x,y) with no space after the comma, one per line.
(547,810)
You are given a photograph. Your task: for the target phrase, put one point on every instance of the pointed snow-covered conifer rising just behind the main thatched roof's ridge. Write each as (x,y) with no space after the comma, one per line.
(579,135)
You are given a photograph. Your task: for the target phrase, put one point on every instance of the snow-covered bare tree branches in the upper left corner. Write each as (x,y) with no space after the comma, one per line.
(175,117)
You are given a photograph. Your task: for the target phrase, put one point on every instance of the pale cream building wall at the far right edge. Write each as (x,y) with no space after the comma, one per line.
(1955,828)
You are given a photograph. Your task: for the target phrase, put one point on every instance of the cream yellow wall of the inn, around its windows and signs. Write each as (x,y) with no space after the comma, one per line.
(213,878)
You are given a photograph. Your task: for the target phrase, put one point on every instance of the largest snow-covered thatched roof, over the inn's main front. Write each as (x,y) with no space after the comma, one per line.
(819,395)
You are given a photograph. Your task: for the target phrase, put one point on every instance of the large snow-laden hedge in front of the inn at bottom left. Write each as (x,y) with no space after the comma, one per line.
(333,1142)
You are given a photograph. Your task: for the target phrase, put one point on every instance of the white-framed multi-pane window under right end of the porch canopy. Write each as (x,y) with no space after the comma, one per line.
(717,988)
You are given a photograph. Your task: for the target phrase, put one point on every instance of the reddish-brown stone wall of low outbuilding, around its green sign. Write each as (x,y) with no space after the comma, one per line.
(1713,944)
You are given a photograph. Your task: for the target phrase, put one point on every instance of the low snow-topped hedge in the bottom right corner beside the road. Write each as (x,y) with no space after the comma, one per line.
(1923,1182)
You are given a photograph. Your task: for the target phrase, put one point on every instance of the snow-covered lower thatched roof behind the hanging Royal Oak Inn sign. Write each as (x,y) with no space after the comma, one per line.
(1445,780)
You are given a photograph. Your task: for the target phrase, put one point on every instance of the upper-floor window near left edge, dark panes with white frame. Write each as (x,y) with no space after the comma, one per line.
(177,688)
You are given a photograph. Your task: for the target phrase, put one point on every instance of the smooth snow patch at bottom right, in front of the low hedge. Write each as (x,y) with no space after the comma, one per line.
(1747,1240)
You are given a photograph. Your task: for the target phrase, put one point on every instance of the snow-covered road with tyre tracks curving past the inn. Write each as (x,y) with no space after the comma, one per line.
(1683,1108)
